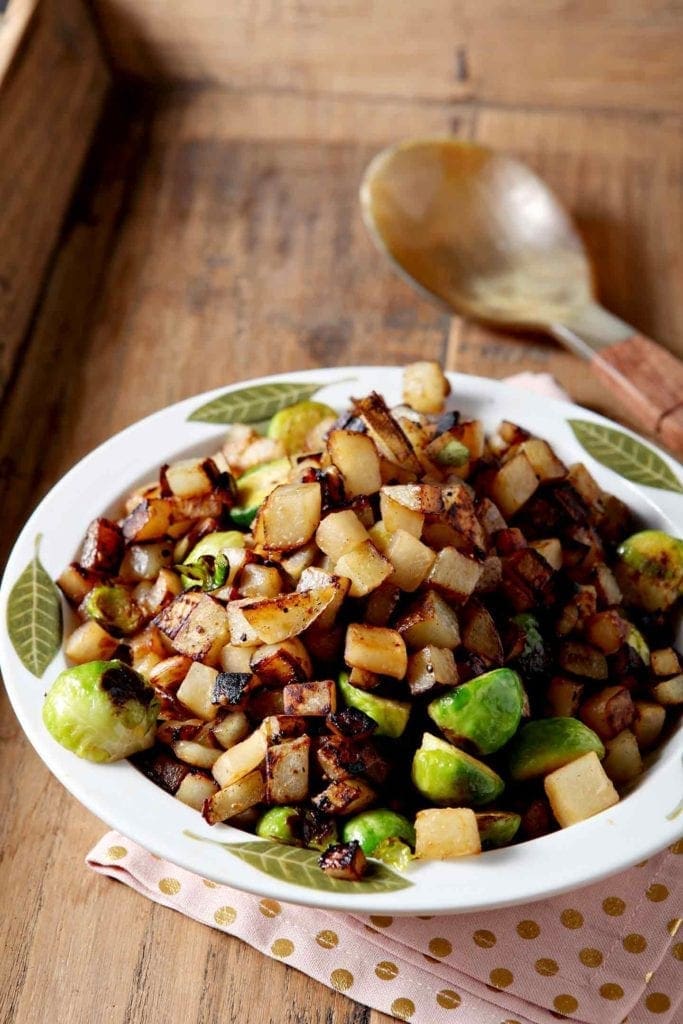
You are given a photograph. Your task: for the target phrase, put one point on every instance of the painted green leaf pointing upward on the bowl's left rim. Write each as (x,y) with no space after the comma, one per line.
(34,617)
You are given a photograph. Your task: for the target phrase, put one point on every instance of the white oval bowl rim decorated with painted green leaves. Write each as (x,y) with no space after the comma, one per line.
(645,822)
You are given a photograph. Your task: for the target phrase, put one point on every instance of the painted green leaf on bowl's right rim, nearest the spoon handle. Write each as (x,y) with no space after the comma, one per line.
(626,456)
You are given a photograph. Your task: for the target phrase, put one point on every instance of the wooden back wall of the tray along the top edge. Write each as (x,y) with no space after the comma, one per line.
(614,55)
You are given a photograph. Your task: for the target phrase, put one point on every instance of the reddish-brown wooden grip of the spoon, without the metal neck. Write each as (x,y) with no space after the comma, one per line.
(649,380)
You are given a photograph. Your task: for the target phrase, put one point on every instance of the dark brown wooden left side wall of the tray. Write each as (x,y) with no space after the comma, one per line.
(51,99)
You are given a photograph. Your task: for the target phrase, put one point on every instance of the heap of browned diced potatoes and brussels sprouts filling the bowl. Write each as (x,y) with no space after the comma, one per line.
(377,634)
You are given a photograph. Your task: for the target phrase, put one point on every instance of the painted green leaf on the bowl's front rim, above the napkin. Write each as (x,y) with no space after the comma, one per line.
(300,868)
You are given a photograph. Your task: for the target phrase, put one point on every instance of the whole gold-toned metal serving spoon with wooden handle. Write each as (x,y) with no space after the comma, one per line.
(482,233)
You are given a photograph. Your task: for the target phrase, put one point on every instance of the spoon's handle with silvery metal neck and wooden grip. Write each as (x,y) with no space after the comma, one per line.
(647,378)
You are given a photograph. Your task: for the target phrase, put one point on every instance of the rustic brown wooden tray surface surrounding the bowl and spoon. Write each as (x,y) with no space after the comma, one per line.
(216,236)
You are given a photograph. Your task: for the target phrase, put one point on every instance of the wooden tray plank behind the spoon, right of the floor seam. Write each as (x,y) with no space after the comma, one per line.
(620,177)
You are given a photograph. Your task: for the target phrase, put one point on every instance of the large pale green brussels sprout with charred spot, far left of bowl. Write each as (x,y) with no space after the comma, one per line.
(102,711)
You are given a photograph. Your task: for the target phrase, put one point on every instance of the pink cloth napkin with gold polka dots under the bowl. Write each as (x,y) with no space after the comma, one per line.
(605,955)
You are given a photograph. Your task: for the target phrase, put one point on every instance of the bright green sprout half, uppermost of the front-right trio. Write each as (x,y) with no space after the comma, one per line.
(485,712)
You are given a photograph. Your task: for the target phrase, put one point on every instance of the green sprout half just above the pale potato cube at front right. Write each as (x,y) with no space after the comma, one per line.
(547,744)
